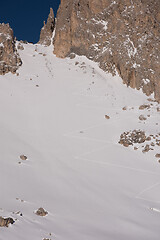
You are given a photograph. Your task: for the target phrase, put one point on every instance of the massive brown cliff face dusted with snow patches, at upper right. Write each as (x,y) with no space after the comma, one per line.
(120,35)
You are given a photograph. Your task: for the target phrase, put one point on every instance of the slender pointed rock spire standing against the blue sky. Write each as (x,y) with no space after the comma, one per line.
(47,30)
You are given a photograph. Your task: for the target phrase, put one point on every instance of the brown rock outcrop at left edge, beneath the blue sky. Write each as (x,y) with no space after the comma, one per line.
(9,58)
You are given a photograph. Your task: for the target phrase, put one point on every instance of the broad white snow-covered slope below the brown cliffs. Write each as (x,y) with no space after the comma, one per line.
(92,187)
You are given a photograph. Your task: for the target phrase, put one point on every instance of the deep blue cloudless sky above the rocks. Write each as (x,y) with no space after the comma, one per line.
(26,16)
